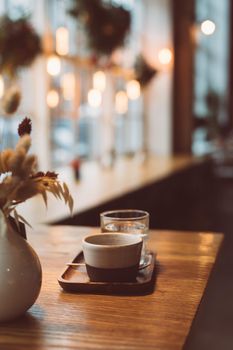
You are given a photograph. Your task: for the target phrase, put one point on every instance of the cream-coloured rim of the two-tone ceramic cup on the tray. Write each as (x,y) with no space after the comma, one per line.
(135,241)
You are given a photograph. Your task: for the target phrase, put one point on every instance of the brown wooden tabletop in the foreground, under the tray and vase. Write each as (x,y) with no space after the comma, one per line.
(161,320)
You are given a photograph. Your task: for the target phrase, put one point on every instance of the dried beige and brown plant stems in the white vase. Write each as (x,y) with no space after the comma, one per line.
(20,179)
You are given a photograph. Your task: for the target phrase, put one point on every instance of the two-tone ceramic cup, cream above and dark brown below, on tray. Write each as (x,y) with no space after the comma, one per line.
(112,257)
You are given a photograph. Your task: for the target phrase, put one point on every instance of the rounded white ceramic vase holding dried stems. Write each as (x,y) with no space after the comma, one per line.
(20,273)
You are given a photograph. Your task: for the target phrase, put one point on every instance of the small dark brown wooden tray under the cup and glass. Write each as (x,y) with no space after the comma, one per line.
(75,279)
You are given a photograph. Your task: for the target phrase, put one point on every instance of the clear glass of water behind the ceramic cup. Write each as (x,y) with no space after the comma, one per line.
(128,221)
